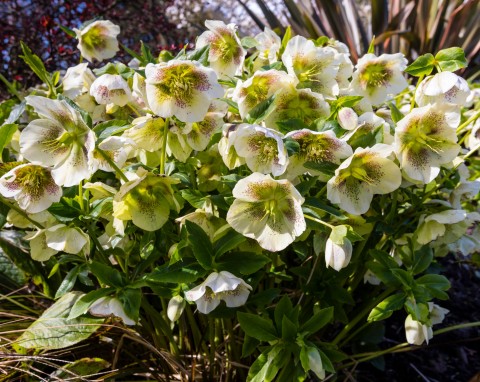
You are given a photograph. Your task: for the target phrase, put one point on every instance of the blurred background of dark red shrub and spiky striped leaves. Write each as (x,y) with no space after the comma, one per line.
(413,27)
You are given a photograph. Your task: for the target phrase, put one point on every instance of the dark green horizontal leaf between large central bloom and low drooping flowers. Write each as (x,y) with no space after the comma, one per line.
(245,263)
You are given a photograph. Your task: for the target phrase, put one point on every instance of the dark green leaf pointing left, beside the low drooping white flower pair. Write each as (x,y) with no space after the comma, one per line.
(183,271)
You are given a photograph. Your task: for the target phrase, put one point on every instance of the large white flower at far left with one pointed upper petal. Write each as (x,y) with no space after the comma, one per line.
(60,138)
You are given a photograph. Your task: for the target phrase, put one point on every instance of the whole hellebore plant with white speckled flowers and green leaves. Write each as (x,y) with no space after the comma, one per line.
(254,201)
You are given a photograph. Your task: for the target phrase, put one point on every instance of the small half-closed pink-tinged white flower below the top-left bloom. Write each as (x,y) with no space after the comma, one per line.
(111,88)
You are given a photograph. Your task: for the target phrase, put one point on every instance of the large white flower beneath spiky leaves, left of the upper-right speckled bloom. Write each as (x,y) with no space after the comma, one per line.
(315,67)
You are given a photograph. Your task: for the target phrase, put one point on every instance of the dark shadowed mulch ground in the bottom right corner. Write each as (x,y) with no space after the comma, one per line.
(453,356)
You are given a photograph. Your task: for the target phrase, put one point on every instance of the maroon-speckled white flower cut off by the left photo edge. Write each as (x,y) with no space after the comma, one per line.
(32,186)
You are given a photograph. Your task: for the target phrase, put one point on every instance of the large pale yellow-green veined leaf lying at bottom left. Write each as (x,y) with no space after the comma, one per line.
(53,330)
